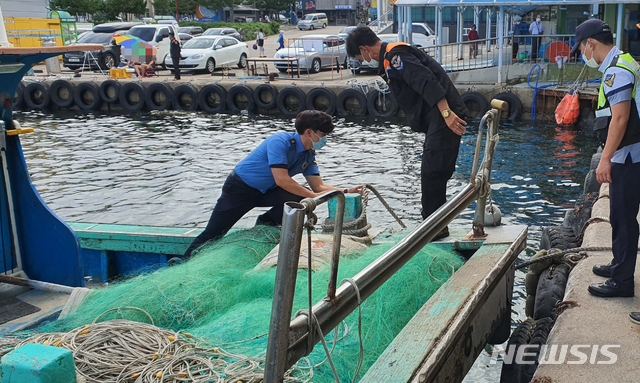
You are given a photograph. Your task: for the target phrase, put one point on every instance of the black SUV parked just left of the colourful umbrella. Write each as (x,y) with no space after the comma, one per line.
(101,34)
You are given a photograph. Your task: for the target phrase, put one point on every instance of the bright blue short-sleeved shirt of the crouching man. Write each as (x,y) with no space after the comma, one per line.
(281,150)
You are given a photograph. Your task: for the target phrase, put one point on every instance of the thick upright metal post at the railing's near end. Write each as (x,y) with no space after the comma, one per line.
(284,290)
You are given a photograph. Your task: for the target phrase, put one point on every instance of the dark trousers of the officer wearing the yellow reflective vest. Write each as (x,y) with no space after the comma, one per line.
(624,192)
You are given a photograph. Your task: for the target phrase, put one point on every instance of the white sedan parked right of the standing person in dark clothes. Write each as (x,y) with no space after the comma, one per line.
(210,52)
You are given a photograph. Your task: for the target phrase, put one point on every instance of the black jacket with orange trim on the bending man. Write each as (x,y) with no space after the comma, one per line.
(418,82)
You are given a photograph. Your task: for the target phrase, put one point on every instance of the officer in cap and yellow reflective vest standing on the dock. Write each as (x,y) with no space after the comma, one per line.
(617,125)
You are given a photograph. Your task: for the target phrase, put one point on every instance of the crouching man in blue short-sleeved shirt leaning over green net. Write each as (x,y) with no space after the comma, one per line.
(263,178)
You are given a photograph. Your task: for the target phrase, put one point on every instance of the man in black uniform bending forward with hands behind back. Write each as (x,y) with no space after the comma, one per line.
(430,101)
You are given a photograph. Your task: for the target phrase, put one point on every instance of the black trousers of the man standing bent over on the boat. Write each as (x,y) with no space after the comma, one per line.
(439,156)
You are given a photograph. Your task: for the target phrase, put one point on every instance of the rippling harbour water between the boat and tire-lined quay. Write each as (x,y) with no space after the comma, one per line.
(167,169)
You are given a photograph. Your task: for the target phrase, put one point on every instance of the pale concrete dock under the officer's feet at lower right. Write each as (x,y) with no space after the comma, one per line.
(590,321)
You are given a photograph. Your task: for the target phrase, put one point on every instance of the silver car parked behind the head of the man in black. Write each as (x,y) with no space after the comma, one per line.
(315,52)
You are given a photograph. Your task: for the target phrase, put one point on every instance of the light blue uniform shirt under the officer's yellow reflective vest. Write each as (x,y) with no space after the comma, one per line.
(618,87)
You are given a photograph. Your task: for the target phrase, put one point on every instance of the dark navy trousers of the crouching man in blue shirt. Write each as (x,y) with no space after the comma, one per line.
(236,200)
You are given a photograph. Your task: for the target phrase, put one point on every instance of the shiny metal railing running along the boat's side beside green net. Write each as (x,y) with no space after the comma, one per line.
(290,340)
